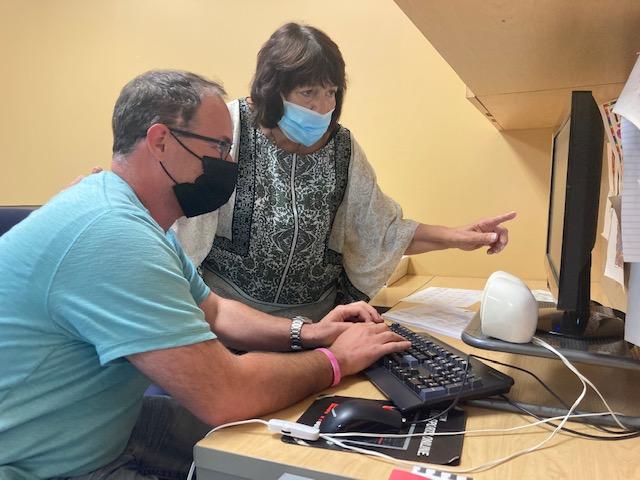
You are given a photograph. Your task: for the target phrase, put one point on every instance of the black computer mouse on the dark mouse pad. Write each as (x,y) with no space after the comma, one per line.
(361,415)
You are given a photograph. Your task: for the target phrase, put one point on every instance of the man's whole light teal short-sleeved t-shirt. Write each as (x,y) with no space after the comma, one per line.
(85,280)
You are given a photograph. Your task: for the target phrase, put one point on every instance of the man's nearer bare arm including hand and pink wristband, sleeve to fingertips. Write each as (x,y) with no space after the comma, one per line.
(220,387)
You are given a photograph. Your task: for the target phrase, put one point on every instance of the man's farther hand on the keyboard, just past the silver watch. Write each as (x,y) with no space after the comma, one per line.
(325,332)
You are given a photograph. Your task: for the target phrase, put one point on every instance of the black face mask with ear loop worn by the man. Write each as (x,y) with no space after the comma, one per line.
(210,190)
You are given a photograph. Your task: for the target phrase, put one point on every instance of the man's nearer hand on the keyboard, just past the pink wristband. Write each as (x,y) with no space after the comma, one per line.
(364,343)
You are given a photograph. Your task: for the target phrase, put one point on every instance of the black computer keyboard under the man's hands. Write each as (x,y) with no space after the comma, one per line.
(432,372)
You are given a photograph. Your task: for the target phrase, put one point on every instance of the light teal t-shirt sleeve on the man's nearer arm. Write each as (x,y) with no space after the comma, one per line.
(124,288)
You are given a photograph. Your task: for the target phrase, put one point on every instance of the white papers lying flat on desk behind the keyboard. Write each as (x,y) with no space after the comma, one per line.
(435,317)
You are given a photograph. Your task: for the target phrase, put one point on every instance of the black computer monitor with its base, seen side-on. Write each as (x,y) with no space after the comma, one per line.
(573,218)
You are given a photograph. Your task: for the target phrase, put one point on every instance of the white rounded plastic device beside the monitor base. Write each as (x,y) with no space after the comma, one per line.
(508,309)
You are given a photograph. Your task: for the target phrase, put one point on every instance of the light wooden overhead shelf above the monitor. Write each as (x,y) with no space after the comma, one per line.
(520,60)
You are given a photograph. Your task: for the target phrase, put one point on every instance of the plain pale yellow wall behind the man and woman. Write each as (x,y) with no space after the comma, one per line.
(64,62)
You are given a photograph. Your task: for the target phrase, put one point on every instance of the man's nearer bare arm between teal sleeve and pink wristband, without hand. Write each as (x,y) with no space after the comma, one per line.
(220,387)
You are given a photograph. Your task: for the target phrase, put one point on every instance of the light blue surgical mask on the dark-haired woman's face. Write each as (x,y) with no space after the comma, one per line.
(301,125)
